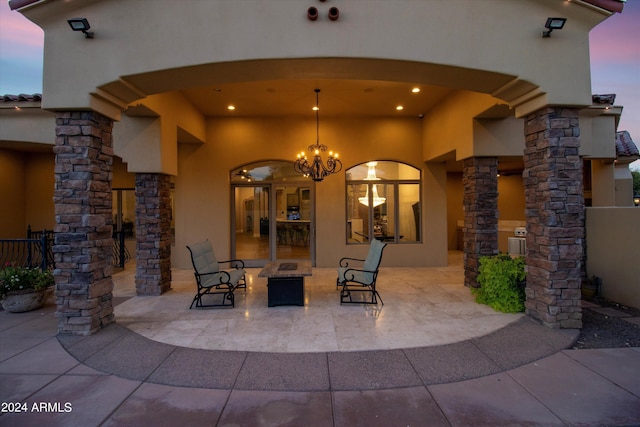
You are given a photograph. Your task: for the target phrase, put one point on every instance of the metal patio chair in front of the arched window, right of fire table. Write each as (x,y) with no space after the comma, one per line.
(362,280)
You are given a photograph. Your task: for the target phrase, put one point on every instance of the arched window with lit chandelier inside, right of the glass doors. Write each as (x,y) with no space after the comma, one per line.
(383,201)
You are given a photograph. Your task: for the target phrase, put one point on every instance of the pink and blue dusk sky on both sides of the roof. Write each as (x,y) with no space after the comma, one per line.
(615,60)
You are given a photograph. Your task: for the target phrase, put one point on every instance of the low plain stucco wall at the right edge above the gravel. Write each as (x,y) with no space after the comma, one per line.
(613,236)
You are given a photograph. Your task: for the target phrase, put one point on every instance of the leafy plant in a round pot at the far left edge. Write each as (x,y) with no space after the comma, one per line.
(23,289)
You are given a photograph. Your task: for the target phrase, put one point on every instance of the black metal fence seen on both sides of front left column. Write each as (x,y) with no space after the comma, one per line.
(36,251)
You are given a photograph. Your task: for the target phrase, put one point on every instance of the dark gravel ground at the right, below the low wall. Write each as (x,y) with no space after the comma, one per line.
(602,331)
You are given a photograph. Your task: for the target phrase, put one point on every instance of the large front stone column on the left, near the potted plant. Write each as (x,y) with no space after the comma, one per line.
(83,239)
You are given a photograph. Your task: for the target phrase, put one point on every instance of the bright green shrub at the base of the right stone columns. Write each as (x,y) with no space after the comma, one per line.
(500,278)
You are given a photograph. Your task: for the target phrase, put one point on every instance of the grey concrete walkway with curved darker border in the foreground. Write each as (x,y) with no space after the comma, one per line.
(519,375)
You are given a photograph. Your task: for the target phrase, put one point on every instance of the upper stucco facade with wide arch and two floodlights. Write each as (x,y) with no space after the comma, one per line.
(438,42)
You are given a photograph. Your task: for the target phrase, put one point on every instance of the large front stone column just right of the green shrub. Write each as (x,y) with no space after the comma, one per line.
(555,217)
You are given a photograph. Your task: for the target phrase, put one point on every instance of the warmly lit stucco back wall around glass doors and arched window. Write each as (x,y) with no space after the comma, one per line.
(203,184)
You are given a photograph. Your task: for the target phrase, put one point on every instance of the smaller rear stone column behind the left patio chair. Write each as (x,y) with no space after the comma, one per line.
(153,234)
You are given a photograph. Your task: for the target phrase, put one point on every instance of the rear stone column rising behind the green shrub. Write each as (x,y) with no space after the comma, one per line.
(480,232)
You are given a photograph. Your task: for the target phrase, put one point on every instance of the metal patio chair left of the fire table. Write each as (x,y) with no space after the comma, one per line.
(211,280)
